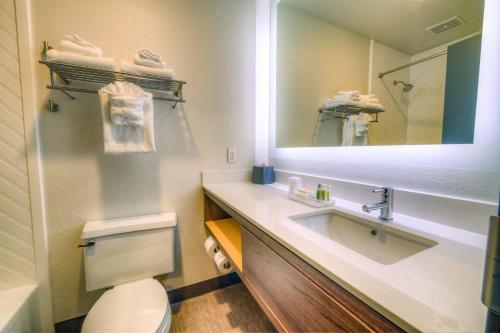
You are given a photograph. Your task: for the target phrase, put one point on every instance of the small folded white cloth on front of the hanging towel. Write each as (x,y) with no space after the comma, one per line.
(127,109)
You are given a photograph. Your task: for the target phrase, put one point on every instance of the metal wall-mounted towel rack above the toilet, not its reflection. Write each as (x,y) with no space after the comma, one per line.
(162,88)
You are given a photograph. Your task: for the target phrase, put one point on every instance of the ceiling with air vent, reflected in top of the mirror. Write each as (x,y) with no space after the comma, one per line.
(400,24)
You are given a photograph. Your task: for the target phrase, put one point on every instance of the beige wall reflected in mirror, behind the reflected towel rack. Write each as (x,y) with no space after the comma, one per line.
(315,59)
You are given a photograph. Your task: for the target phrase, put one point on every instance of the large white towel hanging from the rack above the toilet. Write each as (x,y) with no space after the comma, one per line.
(127,139)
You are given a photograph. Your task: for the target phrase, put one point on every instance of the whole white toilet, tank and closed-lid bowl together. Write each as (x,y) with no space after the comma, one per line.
(123,255)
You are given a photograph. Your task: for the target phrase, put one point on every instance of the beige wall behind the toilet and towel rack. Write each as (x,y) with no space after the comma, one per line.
(210,44)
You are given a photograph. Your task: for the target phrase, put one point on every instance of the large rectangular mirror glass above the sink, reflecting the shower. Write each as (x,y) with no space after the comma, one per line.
(376,72)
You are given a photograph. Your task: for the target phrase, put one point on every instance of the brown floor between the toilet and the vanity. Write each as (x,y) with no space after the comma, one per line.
(231,309)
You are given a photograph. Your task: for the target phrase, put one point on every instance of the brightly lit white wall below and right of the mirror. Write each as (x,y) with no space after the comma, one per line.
(466,171)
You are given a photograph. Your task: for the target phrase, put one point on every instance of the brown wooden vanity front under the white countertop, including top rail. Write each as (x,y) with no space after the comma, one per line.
(294,295)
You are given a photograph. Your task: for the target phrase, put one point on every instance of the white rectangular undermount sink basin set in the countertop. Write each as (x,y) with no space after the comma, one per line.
(376,241)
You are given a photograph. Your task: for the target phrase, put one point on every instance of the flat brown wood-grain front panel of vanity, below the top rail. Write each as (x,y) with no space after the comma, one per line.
(298,303)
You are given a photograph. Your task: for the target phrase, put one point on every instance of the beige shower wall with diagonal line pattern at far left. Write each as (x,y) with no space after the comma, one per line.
(17,261)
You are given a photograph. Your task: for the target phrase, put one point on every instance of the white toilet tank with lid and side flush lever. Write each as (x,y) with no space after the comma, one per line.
(128,249)
